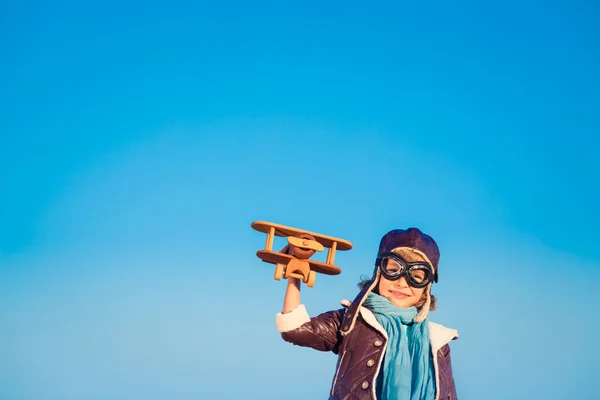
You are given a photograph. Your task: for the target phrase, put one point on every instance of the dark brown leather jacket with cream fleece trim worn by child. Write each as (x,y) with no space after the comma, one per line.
(354,334)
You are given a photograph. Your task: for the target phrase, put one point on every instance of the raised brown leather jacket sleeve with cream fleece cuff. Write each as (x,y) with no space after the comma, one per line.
(320,332)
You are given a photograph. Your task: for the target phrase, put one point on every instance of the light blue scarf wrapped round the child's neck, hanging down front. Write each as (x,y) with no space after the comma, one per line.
(407,372)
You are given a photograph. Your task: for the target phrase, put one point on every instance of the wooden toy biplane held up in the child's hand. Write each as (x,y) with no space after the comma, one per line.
(294,259)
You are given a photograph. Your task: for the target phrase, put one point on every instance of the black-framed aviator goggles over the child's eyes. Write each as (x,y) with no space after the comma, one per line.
(418,274)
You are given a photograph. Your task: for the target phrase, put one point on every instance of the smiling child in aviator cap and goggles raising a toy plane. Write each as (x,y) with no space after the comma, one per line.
(387,349)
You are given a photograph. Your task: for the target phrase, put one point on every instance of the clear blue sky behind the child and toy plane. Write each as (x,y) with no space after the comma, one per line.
(138,141)
